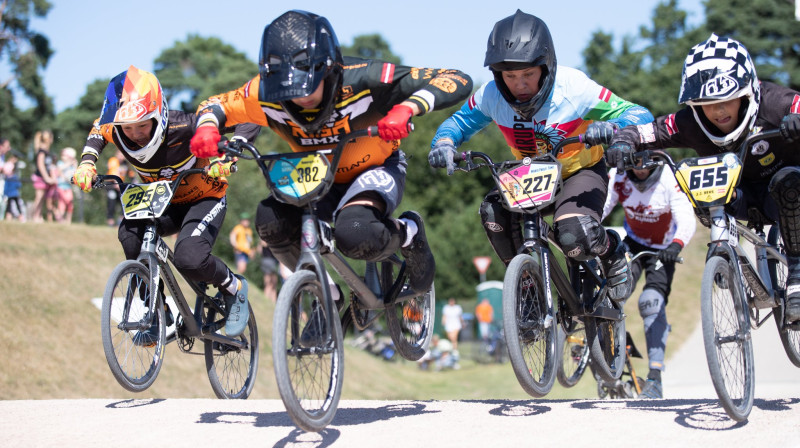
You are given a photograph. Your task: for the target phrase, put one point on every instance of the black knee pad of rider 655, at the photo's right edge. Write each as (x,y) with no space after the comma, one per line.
(785,191)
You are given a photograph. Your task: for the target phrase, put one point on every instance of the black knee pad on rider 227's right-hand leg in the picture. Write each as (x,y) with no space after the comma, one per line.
(581,237)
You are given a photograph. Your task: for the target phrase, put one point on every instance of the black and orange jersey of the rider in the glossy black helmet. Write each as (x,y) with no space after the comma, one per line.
(369,90)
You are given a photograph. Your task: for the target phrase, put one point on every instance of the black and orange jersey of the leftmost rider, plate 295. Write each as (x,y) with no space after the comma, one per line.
(172,157)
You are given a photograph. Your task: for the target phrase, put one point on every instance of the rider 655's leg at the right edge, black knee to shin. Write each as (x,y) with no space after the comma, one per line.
(785,191)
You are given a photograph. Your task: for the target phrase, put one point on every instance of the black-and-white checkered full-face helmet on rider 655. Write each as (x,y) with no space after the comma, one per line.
(717,70)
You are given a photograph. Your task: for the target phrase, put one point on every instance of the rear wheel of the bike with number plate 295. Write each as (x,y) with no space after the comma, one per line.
(232,370)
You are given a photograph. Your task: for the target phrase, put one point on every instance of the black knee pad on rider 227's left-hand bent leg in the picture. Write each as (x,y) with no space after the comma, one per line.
(500,226)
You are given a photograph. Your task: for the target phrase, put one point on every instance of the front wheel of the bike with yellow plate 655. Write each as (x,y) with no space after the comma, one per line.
(726,335)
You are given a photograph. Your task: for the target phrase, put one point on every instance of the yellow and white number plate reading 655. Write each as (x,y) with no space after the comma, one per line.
(709,181)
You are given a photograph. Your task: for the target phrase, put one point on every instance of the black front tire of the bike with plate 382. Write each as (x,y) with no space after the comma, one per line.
(309,420)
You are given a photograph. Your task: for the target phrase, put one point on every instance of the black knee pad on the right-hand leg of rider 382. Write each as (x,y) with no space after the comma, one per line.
(362,233)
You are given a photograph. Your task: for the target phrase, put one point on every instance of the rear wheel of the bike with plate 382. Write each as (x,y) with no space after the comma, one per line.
(411,321)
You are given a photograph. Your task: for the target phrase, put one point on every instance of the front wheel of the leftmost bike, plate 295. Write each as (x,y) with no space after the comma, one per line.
(133,353)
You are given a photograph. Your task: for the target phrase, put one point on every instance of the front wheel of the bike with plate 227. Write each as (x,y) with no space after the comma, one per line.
(530,326)
